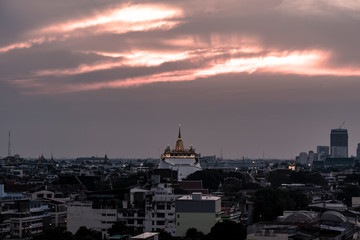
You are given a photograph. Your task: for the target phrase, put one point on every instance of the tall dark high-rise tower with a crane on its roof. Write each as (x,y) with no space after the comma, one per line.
(339,143)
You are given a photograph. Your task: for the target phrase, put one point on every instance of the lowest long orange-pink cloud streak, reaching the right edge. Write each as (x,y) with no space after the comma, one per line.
(297,62)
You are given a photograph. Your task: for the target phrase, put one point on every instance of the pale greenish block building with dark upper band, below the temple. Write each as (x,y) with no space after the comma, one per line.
(197,211)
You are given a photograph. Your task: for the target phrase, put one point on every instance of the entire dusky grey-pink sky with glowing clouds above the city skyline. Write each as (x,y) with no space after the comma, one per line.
(252,78)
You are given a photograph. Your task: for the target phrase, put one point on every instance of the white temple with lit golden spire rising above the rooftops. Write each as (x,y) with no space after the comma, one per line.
(184,161)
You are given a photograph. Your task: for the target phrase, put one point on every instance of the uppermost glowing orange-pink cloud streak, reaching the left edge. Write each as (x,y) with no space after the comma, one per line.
(121,20)
